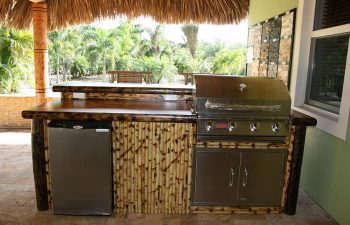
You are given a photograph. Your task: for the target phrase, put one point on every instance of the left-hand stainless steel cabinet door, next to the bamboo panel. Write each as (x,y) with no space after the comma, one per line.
(215,177)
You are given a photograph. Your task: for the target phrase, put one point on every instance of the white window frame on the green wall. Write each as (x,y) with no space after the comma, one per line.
(329,122)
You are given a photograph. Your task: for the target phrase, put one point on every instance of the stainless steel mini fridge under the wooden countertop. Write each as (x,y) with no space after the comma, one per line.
(81,167)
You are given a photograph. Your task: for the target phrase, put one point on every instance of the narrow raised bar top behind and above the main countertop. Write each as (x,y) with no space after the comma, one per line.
(123,88)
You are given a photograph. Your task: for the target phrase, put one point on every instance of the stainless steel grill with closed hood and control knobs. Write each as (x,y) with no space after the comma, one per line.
(241,108)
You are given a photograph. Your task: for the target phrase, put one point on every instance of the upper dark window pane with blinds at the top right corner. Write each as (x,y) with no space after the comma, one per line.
(330,13)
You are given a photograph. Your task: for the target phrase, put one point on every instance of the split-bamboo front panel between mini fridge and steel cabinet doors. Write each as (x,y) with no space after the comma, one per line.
(151,166)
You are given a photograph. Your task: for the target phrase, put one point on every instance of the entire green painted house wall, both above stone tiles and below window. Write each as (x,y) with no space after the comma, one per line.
(325,172)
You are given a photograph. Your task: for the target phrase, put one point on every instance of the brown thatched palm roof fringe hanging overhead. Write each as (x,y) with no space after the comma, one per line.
(62,13)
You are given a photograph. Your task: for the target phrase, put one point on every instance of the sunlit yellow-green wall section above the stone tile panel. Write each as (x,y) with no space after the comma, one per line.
(260,10)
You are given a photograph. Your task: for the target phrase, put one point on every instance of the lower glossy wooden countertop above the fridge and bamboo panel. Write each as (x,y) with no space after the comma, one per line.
(112,110)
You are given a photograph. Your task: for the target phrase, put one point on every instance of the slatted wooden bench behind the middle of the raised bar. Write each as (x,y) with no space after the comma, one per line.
(129,76)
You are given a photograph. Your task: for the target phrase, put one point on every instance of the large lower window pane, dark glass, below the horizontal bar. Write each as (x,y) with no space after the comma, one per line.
(326,75)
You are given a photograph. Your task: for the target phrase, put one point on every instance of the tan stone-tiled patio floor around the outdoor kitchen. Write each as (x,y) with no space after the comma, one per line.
(17,199)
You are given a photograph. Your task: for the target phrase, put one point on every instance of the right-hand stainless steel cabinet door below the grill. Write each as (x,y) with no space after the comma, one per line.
(261,178)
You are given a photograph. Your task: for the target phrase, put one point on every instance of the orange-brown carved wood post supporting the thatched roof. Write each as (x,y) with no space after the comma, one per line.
(39,12)
